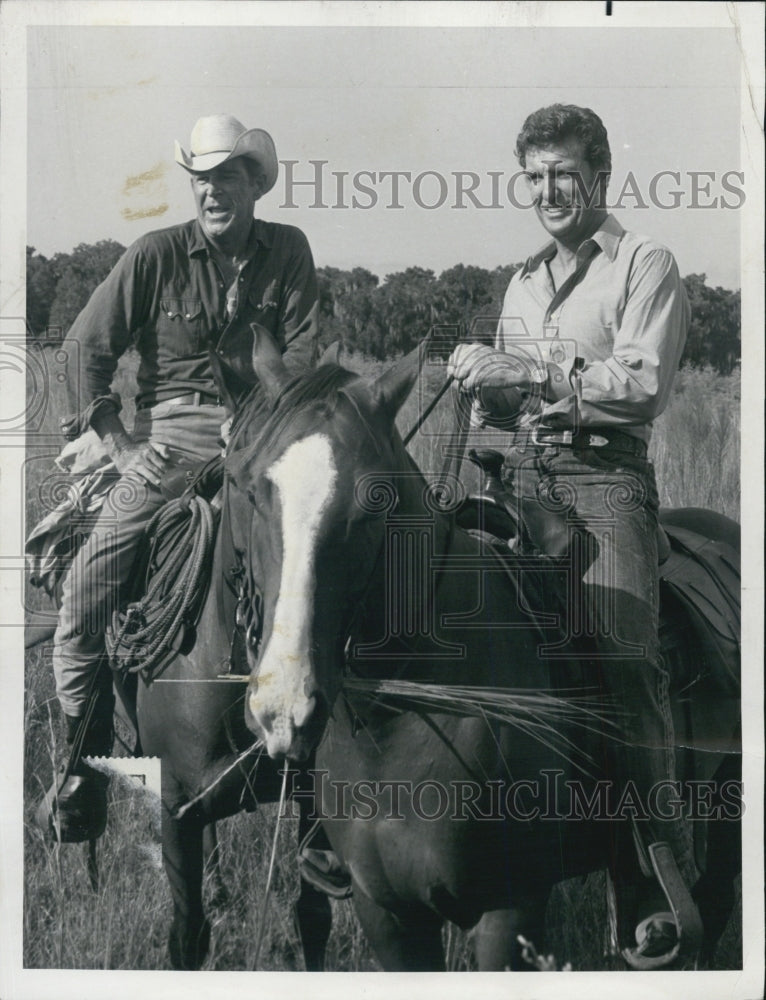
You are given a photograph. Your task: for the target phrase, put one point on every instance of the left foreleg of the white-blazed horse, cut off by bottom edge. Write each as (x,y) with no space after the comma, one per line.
(402,943)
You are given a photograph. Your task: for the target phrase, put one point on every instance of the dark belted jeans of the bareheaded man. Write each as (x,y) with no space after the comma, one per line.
(609,502)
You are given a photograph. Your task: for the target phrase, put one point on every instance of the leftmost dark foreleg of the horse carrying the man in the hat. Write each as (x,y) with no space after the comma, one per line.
(182,854)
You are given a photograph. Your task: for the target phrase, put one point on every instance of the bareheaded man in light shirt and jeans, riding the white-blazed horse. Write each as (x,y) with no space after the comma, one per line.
(590,339)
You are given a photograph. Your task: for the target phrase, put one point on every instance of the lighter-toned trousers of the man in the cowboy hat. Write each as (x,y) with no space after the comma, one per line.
(93,586)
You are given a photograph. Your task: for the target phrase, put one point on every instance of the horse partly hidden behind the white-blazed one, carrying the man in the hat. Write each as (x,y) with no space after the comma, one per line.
(190,715)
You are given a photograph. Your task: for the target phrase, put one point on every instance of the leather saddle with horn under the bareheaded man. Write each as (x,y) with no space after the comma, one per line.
(698,555)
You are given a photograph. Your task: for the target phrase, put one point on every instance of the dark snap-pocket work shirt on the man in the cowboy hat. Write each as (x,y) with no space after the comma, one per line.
(167,297)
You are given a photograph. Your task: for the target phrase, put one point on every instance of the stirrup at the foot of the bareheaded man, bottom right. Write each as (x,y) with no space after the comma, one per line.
(671,936)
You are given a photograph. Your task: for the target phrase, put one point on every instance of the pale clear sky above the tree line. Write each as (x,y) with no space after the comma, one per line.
(106,103)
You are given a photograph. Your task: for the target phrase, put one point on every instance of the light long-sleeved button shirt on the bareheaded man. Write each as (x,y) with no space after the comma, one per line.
(607,343)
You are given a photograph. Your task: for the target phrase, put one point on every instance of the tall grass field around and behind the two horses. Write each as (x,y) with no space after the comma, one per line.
(124,924)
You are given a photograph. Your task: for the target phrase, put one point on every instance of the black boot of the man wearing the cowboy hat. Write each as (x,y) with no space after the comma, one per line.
(74,807)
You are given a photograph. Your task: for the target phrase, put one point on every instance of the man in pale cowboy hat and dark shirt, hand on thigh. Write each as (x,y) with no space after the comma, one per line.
(185,297)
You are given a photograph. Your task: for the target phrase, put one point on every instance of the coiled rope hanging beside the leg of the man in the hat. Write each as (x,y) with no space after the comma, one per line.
(141,637)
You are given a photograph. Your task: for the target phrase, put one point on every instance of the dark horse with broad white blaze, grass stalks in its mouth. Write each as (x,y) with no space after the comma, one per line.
(380,620)
